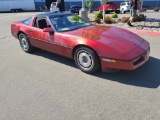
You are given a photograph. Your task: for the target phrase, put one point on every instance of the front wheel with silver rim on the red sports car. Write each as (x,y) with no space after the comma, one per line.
(86,60)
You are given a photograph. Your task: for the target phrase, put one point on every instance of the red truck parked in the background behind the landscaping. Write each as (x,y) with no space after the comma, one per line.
(110,7)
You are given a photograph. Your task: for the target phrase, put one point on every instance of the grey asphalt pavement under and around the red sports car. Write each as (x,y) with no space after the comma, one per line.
(45,86)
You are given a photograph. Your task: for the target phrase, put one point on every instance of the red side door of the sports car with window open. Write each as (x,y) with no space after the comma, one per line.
(44,40)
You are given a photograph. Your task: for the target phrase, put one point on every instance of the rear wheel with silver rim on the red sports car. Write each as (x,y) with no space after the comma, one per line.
(25,44)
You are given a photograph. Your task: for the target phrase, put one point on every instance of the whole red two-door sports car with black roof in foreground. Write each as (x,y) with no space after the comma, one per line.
(92,47)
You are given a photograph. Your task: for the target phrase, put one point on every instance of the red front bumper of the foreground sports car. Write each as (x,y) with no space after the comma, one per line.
(125,65)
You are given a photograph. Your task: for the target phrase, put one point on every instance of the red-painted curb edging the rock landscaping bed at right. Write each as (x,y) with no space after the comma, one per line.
(145,32)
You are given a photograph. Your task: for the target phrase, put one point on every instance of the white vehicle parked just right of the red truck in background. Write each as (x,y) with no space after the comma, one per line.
(125,7)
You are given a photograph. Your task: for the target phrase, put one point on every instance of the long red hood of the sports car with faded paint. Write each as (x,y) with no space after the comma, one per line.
(114,37)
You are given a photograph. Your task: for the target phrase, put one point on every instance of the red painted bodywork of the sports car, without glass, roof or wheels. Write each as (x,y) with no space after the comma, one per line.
(107,41)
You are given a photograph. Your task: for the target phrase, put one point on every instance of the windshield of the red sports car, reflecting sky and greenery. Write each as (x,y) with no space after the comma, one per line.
(68,23)
